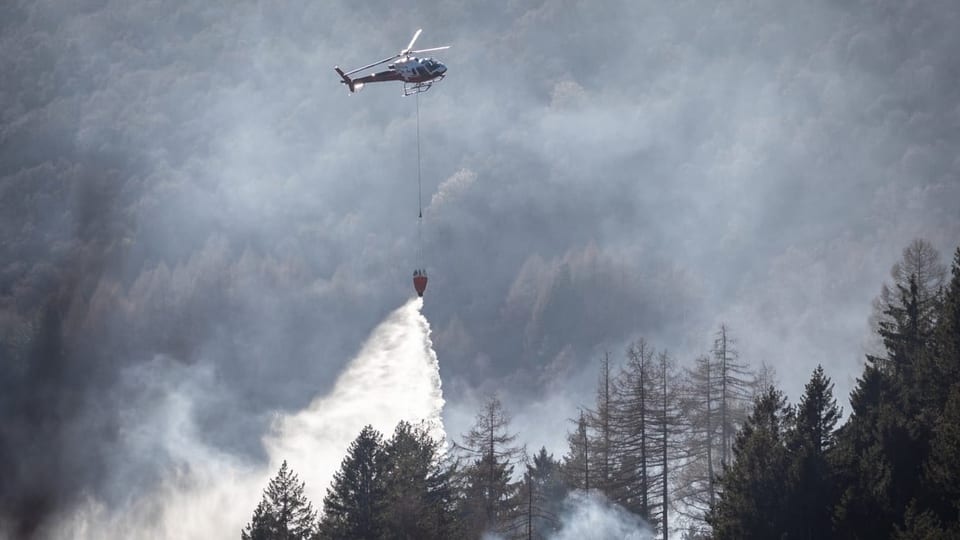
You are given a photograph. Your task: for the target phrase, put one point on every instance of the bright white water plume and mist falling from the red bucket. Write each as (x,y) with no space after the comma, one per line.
(209,493)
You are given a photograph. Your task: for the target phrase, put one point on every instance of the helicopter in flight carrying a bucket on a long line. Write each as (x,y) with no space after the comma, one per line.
(417,74)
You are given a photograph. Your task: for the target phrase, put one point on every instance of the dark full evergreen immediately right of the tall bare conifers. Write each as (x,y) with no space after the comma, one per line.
(752,499)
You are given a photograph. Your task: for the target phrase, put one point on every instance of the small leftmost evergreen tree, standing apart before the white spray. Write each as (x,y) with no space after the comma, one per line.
(284,513)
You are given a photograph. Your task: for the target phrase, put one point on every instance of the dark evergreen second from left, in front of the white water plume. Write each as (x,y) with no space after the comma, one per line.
(354,505)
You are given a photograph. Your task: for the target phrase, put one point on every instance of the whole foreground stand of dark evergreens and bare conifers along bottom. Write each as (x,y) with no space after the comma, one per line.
(711,450)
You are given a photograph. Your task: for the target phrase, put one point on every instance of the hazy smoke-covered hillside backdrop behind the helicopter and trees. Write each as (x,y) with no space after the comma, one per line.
(185,187)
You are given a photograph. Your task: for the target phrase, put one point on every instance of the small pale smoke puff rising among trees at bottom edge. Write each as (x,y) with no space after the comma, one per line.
(590,515)
